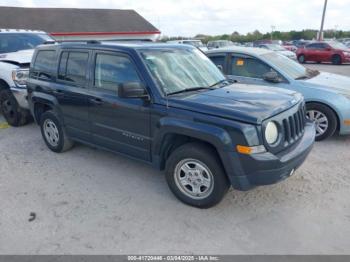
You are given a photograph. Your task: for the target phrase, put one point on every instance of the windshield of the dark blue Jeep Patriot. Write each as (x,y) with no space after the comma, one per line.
(180,69)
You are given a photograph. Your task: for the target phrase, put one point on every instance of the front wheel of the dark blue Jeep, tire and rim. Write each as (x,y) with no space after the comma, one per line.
(202,164)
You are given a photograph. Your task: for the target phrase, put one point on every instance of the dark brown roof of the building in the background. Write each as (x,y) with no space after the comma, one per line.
(73,20)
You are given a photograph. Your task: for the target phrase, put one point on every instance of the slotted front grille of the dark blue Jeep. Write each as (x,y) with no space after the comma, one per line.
(294,126)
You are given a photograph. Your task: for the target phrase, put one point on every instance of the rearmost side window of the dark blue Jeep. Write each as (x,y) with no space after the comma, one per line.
(44,63)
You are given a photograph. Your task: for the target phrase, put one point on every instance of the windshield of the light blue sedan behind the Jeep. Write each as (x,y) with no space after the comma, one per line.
(291,68)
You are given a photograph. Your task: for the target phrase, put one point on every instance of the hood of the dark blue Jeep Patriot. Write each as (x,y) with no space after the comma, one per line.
(246,103)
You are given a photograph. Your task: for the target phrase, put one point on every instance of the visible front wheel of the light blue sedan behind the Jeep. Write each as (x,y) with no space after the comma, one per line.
(319,112)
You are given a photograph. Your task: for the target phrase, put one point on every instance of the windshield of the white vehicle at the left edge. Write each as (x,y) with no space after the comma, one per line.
(13,42)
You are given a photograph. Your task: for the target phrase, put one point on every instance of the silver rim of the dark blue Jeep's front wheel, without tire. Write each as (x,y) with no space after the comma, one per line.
(194,178)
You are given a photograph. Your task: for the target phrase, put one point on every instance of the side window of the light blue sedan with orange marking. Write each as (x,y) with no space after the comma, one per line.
(248,67)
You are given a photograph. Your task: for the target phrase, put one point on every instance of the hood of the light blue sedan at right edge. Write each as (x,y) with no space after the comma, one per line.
(333,82)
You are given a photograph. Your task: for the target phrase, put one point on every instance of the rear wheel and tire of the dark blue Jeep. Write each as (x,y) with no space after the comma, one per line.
(53,133)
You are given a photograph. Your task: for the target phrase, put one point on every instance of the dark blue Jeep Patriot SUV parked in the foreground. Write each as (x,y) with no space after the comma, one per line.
(169,106)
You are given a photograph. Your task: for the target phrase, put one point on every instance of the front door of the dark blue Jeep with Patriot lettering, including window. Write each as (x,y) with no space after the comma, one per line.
(119,124)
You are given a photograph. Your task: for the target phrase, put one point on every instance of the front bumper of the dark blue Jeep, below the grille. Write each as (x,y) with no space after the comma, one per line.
(248,171)
